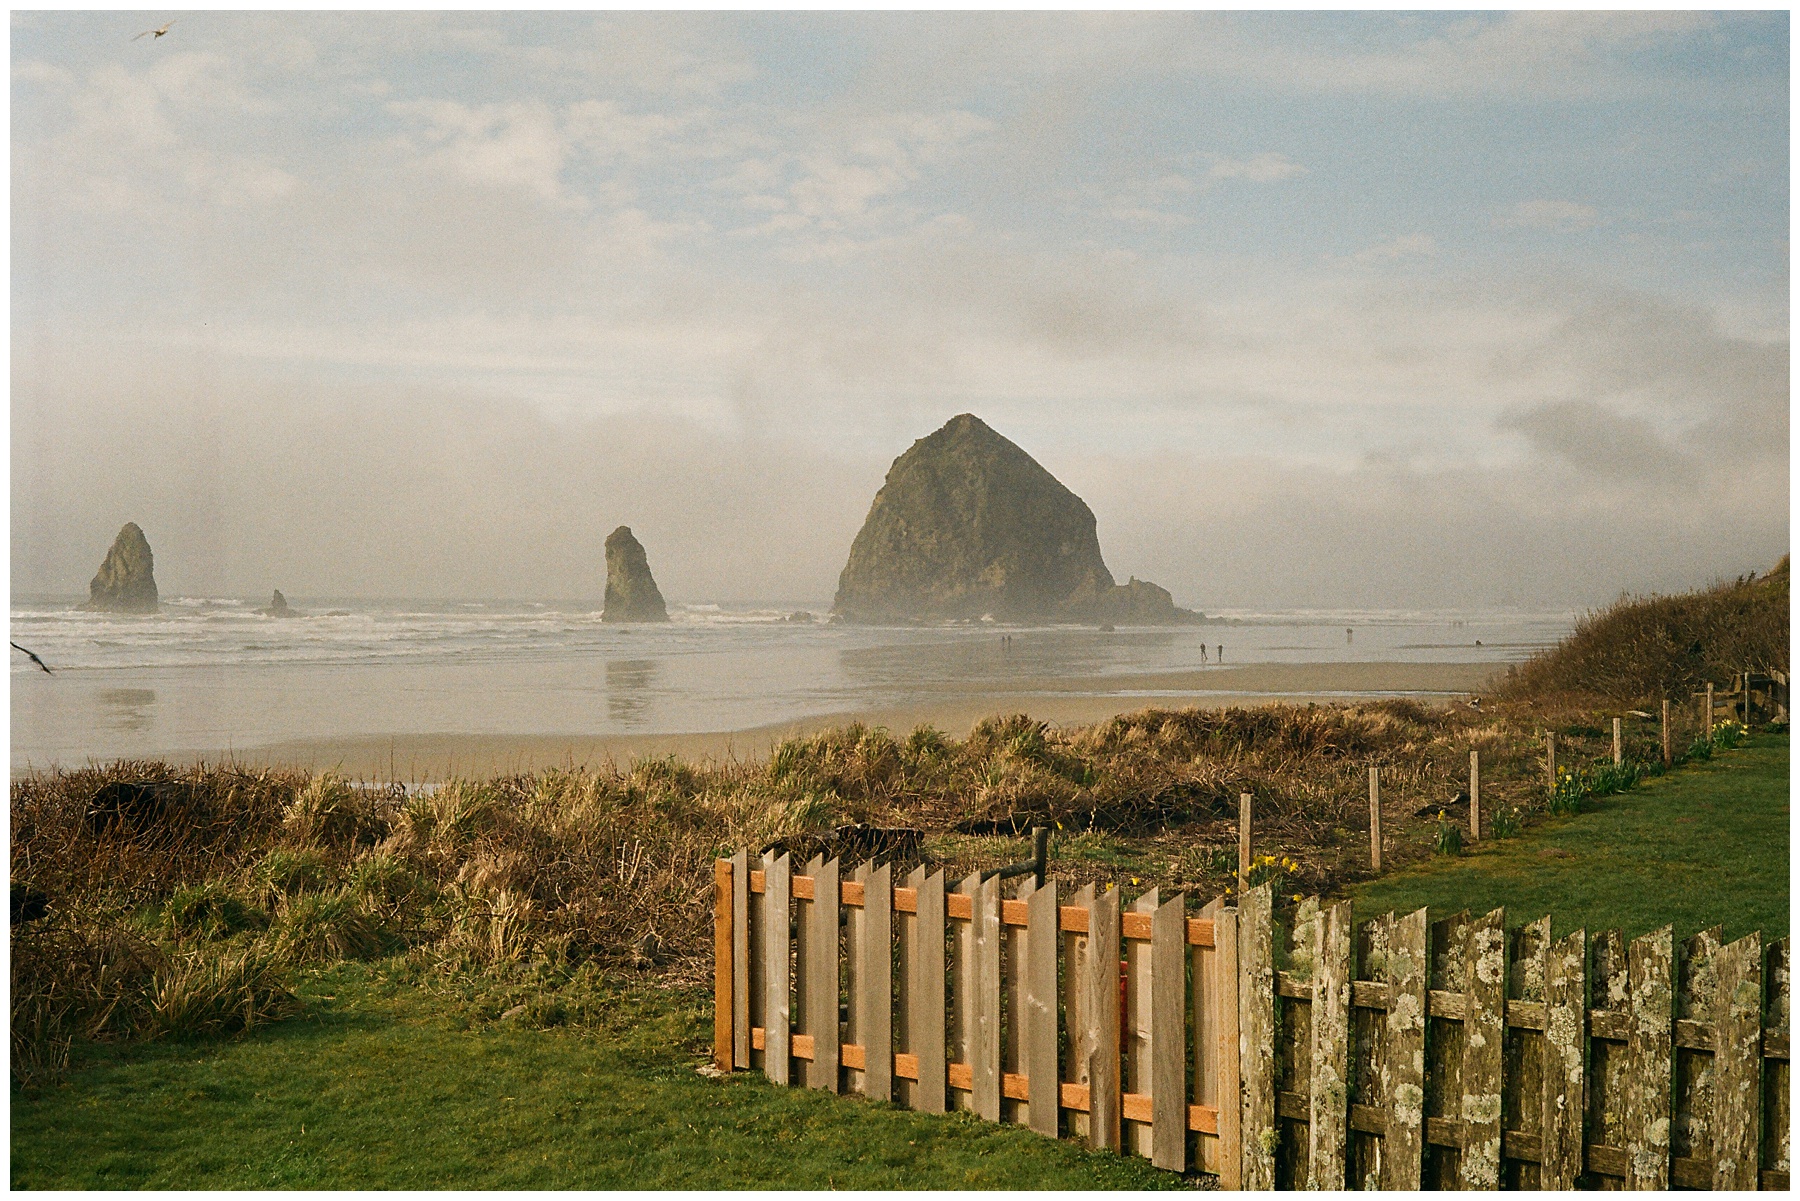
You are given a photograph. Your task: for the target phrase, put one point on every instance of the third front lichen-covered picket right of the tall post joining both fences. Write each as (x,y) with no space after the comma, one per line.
(1484,1038)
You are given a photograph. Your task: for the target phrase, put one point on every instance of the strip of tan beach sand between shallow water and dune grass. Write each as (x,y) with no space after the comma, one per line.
(418,759)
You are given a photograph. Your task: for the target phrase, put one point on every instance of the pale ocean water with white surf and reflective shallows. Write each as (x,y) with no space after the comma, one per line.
(211,674)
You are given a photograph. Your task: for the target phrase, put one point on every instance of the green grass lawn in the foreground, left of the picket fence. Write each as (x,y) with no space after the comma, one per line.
(388,1087)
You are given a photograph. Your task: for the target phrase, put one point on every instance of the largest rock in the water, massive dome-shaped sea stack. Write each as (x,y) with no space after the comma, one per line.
(967,527)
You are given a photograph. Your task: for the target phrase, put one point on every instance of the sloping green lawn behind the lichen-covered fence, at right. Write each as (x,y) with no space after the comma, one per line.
(1702,847)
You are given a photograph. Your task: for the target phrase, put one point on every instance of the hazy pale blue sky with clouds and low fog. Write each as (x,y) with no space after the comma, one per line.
(1313,311)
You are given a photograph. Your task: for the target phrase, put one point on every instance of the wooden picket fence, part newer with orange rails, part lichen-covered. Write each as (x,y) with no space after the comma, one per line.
(1273,1051)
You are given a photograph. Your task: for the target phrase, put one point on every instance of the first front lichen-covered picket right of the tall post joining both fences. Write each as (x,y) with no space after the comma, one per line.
(1329,1114)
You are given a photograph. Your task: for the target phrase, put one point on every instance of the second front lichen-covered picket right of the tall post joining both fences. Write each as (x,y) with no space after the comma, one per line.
(1403,1069)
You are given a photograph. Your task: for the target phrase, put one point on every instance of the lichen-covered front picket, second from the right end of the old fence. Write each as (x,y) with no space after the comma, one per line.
(1650,1061)
